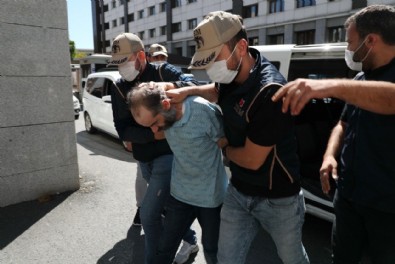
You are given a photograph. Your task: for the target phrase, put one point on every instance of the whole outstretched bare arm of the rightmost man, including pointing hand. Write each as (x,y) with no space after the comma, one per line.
(374,96)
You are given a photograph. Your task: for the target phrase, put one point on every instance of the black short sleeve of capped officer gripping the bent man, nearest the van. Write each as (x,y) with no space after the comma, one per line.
(267,123)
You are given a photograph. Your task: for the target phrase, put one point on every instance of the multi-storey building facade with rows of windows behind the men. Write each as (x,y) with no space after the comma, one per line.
(171,22)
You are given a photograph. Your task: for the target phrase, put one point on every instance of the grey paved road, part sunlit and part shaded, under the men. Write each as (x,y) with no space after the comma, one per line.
(93,224)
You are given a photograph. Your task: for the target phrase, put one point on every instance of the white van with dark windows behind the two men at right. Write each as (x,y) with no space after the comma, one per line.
(314,124)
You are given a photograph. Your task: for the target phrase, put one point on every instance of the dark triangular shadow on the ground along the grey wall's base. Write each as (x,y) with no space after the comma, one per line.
(16,219)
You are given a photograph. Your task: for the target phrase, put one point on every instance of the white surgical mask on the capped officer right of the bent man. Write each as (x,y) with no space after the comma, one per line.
(219,72)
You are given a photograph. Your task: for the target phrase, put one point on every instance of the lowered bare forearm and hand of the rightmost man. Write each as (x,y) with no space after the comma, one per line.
(329,163)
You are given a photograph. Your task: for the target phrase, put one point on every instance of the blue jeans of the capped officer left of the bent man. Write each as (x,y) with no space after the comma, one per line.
(157,173)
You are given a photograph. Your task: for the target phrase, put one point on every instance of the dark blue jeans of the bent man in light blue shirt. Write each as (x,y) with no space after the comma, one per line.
(179,217)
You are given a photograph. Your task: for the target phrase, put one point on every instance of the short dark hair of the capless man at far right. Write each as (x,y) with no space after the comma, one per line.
(378,19)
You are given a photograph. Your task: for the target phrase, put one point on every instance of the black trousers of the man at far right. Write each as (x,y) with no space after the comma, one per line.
(360,230)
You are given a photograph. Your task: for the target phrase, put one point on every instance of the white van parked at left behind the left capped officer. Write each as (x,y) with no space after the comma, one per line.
(97,102)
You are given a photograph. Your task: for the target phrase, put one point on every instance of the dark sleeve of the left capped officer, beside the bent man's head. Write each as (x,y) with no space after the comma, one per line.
(128,129)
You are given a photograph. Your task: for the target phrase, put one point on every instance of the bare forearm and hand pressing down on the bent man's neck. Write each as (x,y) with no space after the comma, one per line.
(207,91)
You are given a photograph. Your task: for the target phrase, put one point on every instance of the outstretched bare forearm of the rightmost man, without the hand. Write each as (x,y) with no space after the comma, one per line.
(373,96)
